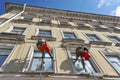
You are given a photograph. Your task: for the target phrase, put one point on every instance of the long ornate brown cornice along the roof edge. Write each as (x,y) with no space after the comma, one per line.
(63,13)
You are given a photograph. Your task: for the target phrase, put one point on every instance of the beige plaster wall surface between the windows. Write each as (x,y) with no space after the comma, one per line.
(17,60)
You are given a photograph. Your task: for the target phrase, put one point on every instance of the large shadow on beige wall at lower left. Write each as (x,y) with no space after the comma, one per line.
(15,65)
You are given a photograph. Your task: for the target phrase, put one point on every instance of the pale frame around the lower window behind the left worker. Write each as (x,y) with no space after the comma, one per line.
(29,59)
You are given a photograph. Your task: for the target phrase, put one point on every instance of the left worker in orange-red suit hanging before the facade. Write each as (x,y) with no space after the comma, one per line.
(44,47)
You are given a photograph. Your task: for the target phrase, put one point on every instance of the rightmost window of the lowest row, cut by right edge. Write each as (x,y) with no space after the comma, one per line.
(115,60)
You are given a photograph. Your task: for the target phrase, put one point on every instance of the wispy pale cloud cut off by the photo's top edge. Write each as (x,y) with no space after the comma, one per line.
(107,3)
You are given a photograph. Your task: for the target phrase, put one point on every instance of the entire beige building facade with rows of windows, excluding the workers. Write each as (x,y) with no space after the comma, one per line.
(21,27)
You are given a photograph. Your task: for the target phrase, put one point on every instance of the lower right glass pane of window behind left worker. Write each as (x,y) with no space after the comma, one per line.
(48,64)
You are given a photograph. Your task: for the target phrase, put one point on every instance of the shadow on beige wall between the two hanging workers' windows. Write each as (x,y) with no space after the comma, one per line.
(67,66)
